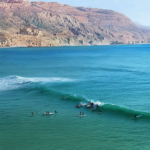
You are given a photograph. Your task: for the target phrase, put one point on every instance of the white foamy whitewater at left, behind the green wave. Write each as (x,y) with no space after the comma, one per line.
(14,82)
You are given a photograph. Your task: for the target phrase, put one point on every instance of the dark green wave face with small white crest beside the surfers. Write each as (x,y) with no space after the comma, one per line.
(80,99)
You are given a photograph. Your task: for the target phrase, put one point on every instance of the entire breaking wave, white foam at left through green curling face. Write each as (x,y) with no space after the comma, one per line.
(15,82)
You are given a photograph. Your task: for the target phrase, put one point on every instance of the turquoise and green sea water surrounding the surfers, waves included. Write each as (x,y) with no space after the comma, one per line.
(116,78)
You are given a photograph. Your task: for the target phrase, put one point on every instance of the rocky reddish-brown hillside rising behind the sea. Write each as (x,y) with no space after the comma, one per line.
(59,25)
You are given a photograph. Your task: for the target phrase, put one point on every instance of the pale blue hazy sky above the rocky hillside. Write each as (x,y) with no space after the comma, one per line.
(137,10)
